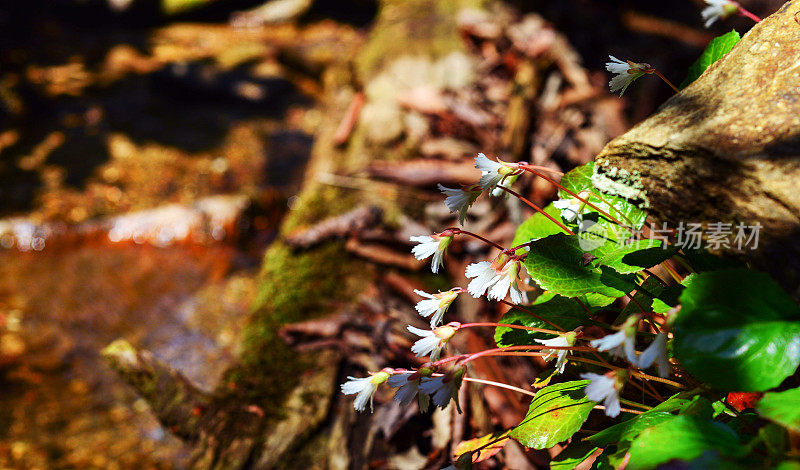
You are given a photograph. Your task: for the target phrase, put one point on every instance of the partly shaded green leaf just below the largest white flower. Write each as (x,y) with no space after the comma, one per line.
(563,311)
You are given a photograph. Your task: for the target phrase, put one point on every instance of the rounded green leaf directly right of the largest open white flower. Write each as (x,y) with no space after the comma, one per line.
(556,263)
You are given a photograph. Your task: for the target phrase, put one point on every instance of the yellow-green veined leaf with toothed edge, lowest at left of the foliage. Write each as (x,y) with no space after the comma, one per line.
(555,414)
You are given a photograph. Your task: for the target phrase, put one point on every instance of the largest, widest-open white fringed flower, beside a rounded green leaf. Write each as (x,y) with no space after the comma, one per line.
(498,278)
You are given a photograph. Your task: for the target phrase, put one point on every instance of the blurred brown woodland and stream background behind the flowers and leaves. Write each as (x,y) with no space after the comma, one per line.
(229,186)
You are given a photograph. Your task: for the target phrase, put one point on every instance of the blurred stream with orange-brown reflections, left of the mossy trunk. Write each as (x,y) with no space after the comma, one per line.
(111,228)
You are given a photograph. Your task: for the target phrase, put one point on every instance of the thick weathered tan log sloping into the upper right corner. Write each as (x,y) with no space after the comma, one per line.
(727,148)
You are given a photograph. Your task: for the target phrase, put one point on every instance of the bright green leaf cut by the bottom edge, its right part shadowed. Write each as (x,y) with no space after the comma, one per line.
(682,438)
